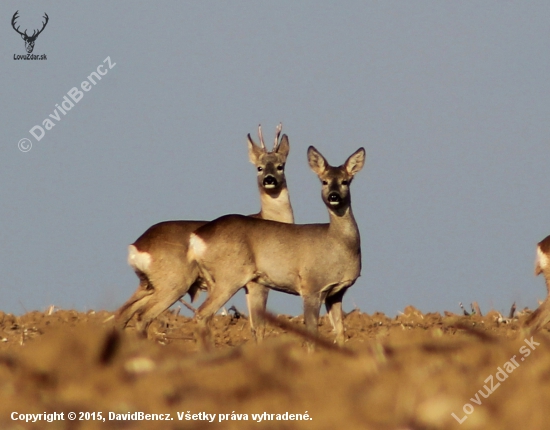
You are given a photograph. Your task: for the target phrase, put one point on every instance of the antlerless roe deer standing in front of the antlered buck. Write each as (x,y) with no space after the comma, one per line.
(316,261)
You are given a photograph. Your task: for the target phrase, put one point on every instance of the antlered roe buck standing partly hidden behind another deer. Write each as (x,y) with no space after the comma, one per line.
(159,256)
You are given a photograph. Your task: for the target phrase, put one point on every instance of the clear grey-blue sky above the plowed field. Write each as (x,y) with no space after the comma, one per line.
(450,100)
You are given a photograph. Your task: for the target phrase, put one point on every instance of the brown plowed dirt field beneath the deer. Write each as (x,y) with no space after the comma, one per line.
(413,371)
